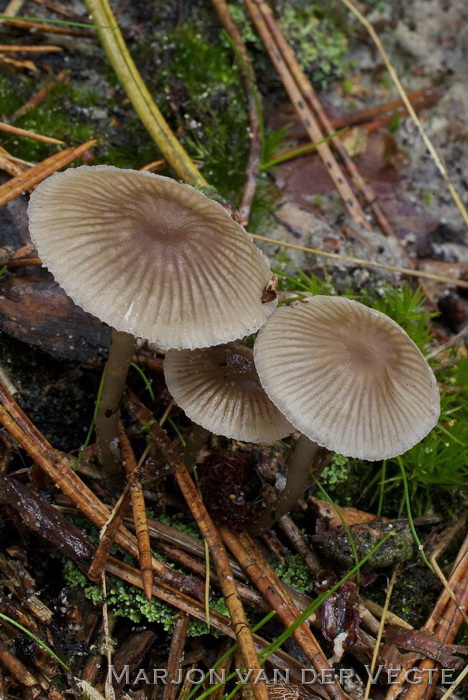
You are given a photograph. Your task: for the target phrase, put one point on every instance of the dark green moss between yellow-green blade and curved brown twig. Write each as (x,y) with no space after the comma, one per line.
(201,77)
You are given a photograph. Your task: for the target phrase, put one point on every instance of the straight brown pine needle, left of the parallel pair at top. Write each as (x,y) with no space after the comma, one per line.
(303,110)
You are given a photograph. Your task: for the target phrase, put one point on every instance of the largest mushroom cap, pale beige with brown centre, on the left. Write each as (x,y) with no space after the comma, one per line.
(150,256)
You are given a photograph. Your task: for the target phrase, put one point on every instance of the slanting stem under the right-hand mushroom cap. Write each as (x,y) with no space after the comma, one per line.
(306,457)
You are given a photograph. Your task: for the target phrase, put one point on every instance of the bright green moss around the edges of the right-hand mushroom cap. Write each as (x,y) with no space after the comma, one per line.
(436,468)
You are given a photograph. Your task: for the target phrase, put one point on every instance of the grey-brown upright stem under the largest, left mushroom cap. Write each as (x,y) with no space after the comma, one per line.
(108,413)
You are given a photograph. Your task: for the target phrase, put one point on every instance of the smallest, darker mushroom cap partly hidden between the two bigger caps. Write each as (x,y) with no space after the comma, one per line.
(218,388)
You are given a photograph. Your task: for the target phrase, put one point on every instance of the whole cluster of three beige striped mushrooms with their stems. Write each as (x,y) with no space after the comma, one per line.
(160,260)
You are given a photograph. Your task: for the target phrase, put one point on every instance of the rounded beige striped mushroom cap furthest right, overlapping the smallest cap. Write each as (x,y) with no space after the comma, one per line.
(348,377)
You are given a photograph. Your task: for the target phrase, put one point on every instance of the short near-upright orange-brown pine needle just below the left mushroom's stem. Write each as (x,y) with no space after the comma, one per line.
(139,512)
